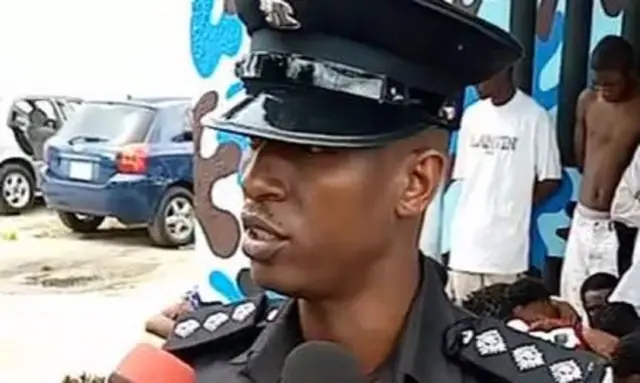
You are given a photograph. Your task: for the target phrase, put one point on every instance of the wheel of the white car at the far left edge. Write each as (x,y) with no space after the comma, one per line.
(16,189)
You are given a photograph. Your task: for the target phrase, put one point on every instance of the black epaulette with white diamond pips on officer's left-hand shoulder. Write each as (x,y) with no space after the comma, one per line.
(215,322)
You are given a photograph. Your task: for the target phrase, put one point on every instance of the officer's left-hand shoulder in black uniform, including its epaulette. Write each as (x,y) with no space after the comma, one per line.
(220,327)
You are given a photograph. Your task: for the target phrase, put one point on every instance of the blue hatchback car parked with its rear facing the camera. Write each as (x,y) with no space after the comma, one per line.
(131,160)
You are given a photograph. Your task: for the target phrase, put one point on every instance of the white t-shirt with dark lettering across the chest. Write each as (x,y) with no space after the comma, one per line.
(502,151)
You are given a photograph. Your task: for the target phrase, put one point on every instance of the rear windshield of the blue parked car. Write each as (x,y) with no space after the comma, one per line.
(104,122)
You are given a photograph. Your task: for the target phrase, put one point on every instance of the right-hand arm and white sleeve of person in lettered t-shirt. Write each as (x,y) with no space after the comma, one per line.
(547,157)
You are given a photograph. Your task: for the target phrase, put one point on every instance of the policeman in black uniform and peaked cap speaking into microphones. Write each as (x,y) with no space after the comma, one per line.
(341,107)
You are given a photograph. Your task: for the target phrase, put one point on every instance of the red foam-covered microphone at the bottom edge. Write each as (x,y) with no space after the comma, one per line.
(147,364)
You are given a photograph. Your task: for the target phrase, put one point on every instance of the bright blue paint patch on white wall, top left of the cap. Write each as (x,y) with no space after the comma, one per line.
(210,41)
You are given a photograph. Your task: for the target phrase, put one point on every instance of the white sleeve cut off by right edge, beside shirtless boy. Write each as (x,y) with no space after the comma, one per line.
(626,202)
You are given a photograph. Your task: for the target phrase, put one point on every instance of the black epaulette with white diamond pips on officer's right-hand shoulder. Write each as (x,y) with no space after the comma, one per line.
(491,346)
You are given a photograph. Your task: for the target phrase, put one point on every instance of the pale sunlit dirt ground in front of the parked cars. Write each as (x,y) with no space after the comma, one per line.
(71,303)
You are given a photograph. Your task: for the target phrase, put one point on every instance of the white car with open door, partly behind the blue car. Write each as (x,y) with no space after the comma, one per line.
(26,123)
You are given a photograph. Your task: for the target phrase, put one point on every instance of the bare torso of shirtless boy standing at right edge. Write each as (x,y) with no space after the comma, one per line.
(612,133)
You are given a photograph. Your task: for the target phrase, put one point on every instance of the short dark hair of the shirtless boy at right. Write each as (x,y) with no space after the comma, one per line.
(613,53)
